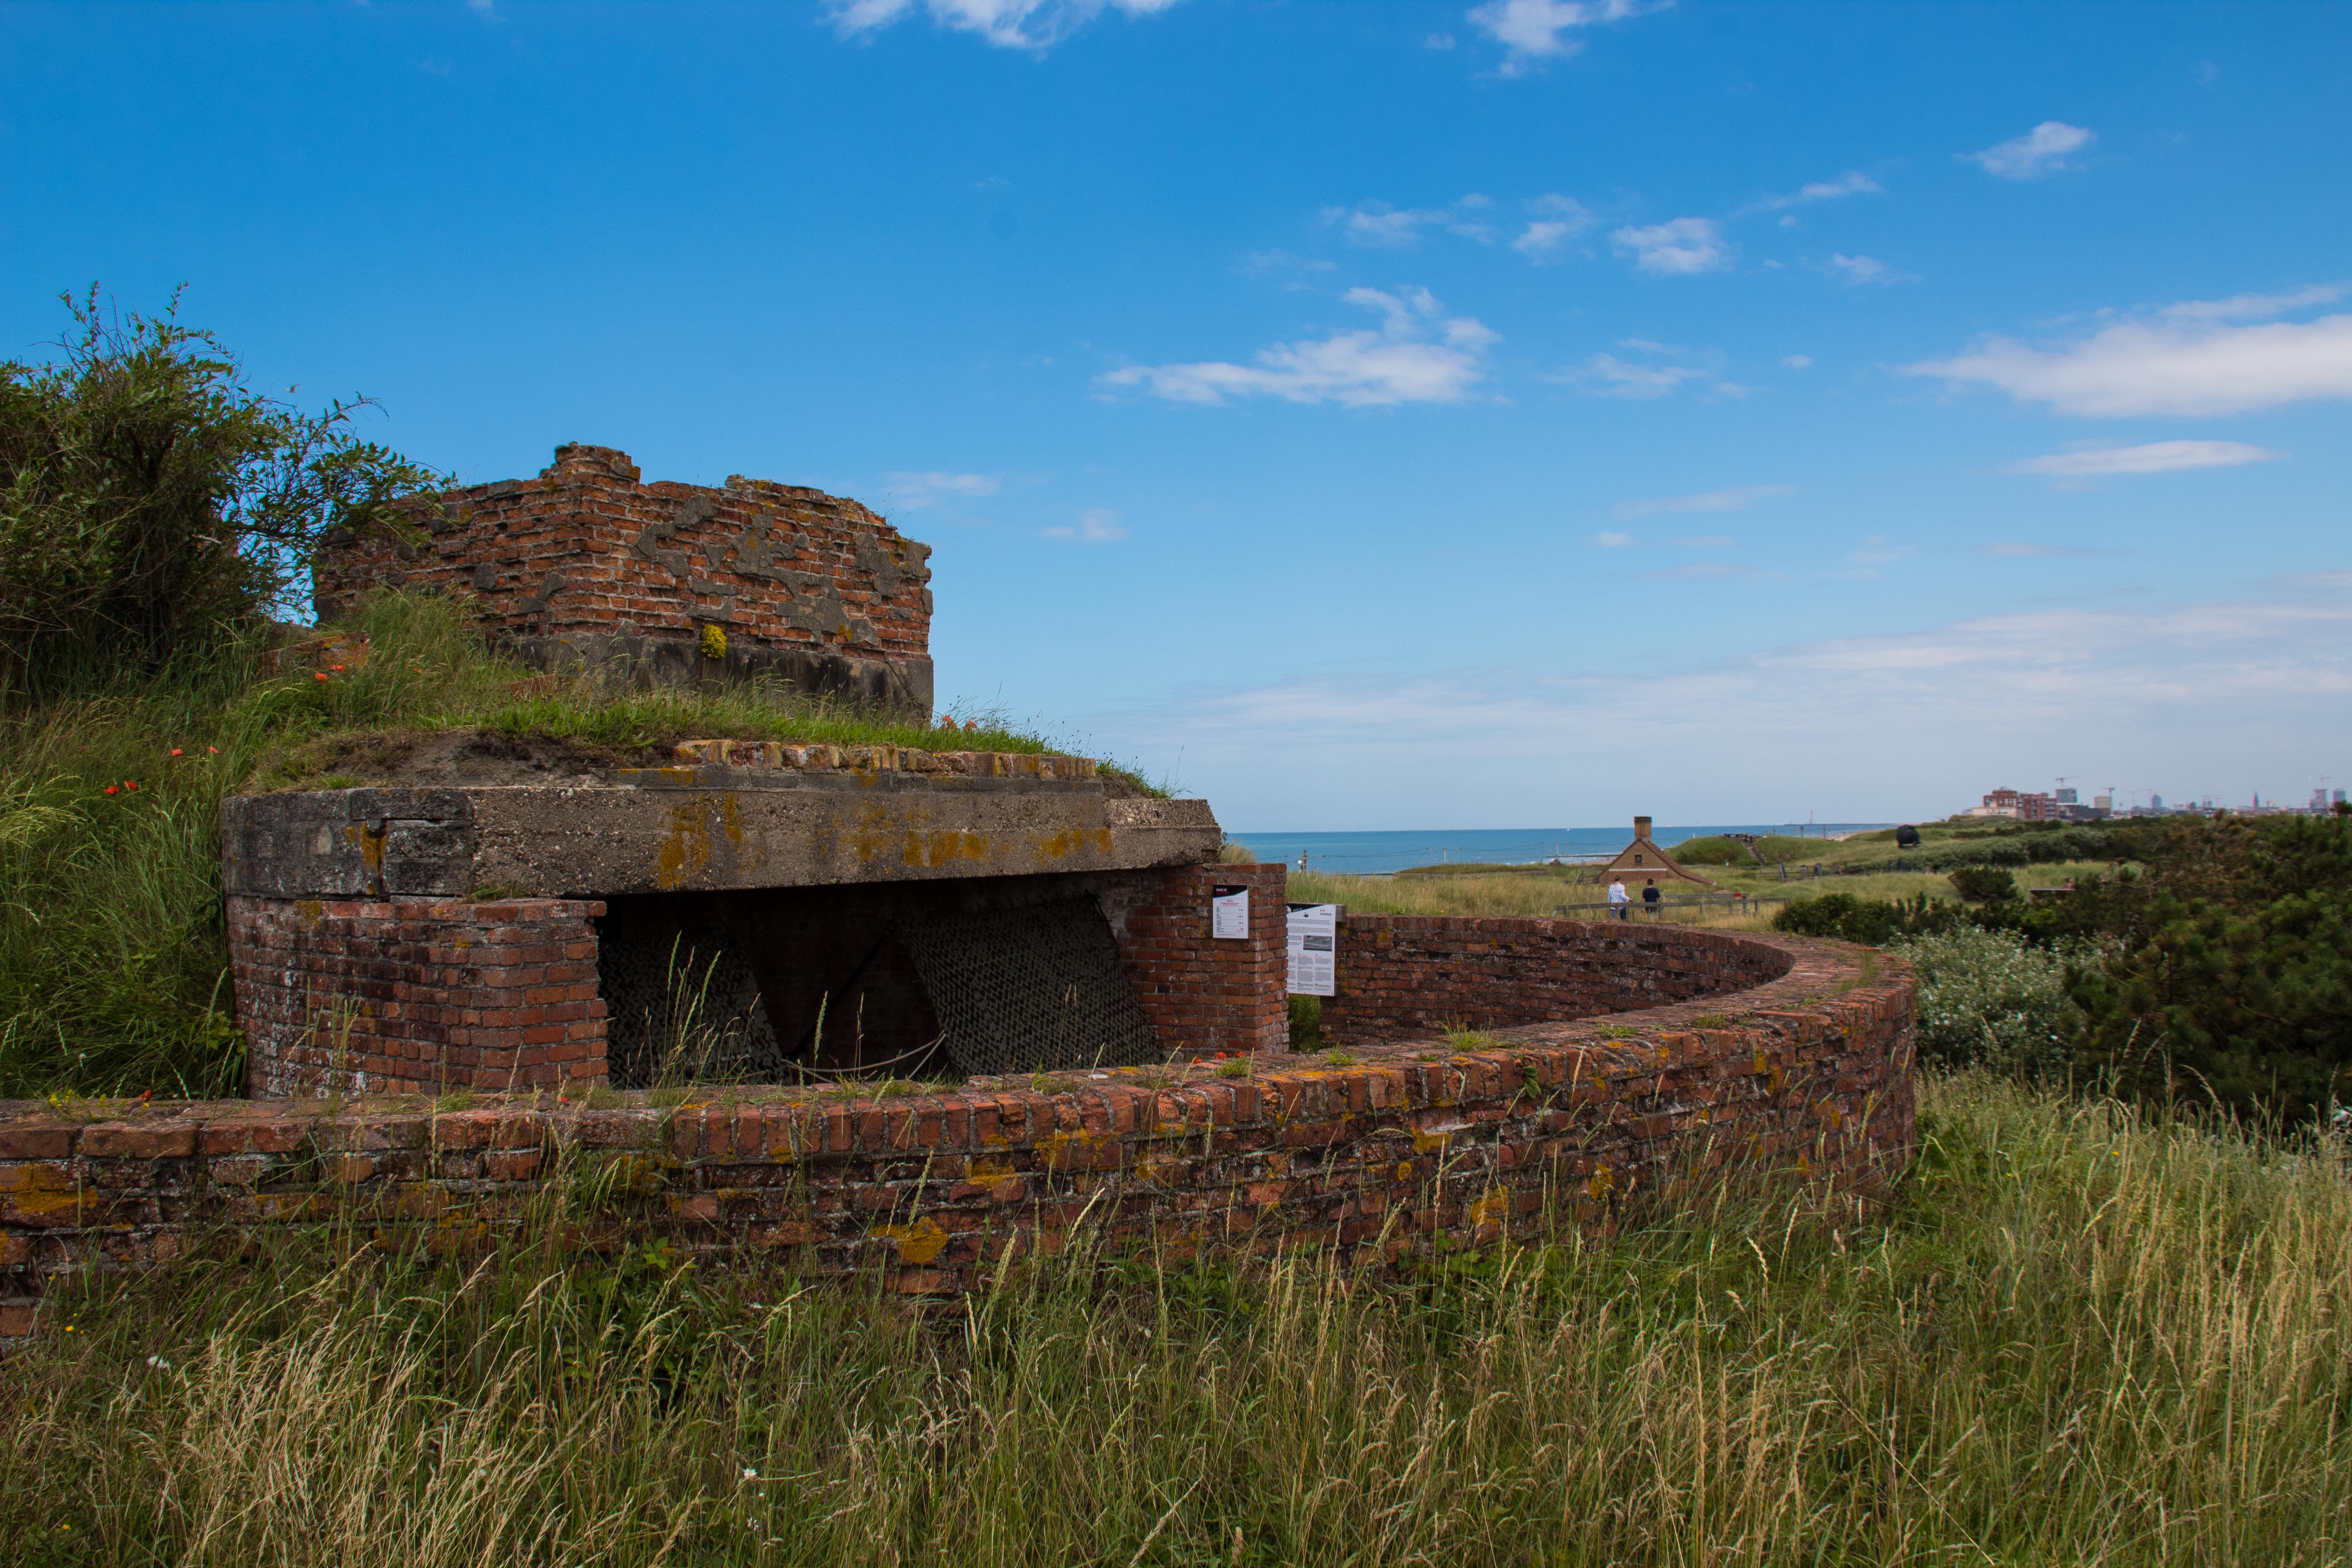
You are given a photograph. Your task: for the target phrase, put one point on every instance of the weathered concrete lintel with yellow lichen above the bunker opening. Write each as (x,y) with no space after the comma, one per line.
(695,831)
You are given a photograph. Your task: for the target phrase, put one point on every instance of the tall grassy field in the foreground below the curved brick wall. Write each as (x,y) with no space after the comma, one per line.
(2078,1336)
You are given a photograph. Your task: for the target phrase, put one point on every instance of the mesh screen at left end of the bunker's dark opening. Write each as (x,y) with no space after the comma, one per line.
(683,1014)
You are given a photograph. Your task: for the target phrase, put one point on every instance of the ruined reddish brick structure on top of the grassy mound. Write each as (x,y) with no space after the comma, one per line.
(594,563)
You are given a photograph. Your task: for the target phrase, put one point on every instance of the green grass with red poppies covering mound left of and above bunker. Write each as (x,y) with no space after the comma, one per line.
(114,963)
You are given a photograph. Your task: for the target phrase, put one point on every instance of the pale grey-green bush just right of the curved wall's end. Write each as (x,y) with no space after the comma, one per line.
(1991,1000)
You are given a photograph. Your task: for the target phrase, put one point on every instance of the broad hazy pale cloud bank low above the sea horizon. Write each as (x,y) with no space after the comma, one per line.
(2203,697)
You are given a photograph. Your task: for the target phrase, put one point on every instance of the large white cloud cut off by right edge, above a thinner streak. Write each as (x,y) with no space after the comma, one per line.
(2181,363)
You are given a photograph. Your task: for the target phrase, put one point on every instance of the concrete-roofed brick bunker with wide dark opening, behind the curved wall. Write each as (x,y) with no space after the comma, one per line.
(756,913)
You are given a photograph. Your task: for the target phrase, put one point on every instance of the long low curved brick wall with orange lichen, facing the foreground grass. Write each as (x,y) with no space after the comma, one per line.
(1805,1078)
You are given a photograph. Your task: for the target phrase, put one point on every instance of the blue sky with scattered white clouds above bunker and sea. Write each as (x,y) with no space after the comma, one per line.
(1361,415)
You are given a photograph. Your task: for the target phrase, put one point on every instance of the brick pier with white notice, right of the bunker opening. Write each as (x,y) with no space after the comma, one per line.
(1208,996)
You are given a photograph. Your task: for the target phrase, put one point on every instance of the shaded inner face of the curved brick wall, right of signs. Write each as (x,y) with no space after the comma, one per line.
(1412,974)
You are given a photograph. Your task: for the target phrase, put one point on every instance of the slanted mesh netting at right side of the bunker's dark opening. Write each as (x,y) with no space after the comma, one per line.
(1038,989)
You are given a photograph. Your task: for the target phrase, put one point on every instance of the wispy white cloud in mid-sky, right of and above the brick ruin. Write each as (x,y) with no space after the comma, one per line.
(1419,354)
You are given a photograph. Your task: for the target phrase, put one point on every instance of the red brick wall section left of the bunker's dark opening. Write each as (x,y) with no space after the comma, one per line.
(373,998)
